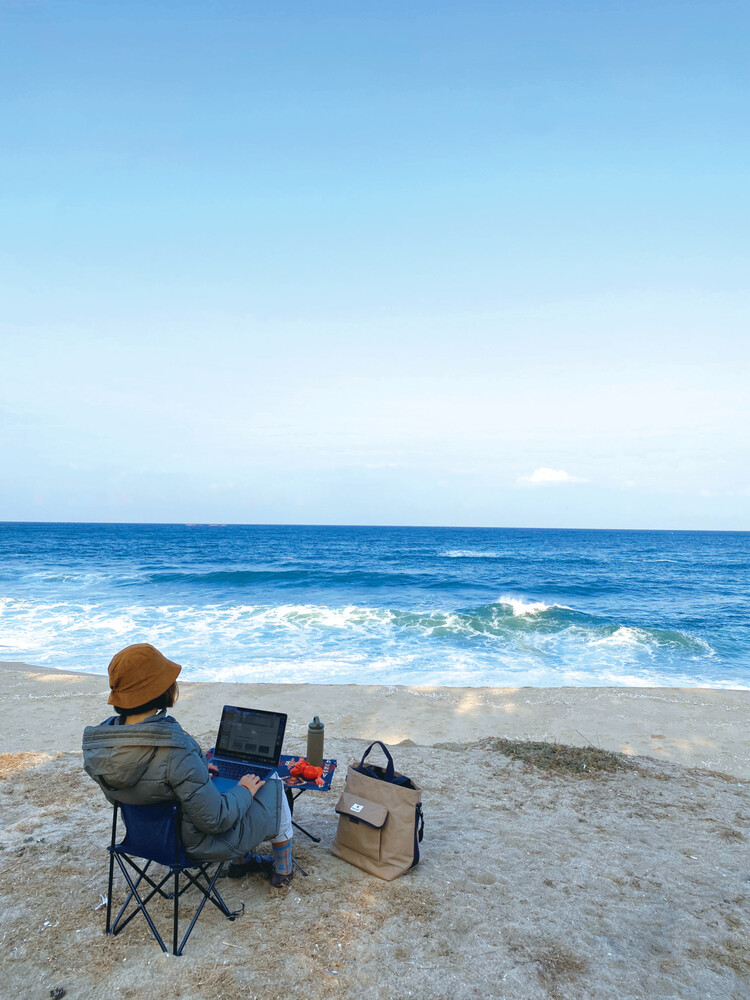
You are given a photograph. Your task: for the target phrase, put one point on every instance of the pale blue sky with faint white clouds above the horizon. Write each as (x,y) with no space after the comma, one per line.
(477,263)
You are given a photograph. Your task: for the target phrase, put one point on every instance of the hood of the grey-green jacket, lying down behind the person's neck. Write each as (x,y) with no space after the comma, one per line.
(119,755)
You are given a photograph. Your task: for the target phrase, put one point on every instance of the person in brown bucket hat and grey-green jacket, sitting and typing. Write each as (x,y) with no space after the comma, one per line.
(142,756)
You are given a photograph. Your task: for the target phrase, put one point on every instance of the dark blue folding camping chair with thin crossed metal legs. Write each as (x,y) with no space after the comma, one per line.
(152,835)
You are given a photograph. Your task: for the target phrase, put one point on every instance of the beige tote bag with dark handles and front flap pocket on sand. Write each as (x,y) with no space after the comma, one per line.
(380,819)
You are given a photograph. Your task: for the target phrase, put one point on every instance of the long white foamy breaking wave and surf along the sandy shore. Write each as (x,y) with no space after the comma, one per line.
(507,641)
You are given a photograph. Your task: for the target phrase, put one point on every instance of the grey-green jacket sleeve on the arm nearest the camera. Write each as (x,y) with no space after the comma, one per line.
(202,804)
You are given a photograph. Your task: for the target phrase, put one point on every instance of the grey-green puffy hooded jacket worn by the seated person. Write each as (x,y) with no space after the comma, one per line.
(157,761)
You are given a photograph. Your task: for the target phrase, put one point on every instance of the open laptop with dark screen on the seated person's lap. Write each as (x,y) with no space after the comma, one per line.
(249,742)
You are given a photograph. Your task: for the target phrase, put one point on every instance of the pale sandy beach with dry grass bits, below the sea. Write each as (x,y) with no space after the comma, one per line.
(535,883)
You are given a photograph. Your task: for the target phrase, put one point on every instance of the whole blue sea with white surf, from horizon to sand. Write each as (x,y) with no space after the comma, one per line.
(383,605)
